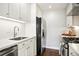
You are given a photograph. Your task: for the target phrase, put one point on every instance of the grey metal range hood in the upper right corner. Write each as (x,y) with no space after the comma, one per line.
(75,10)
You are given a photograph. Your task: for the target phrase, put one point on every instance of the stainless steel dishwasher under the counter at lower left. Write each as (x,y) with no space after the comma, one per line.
(10,51)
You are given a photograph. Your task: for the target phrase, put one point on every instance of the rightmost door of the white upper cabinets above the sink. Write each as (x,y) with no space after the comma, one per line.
(24,12)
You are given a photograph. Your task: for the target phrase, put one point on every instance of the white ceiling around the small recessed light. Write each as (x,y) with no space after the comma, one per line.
(55,6)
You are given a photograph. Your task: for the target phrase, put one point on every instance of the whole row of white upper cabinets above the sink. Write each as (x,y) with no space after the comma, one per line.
(17,11)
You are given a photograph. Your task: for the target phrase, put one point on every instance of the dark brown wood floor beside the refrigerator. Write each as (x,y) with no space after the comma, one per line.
(51,52)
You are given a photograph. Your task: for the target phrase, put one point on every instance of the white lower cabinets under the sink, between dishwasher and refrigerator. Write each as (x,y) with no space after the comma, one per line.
(27,48)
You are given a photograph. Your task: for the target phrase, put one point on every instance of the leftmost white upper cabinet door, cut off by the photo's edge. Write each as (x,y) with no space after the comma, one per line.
(4,9)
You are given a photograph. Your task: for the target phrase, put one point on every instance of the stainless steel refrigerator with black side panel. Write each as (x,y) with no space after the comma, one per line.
(40,35)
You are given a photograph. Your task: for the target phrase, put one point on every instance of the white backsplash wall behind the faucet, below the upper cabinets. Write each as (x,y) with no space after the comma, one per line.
(7,29)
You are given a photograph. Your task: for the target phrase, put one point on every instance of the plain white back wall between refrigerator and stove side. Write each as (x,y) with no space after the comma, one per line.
(55,20)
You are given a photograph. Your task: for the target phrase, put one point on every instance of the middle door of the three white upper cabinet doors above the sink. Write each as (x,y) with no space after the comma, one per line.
(14,10)
